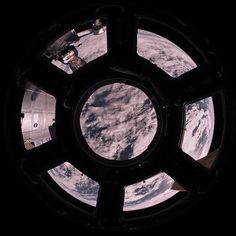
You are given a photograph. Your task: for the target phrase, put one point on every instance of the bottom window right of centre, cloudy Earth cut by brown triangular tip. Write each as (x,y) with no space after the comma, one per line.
(148,192)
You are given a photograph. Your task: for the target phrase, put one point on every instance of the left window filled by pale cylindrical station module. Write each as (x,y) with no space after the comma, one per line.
(38,116)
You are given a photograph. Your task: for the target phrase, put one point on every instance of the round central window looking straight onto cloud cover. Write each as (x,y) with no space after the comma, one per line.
(118,121)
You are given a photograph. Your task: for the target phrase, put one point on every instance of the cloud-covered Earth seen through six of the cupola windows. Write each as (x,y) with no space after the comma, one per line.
(118,118)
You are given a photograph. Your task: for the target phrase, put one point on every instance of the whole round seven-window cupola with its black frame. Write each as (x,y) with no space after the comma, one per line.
(121,115)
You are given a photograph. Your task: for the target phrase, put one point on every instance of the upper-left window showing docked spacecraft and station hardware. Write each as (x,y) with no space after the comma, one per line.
(78,47)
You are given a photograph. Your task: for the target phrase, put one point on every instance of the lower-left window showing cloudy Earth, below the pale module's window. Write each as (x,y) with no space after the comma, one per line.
(75,183)
